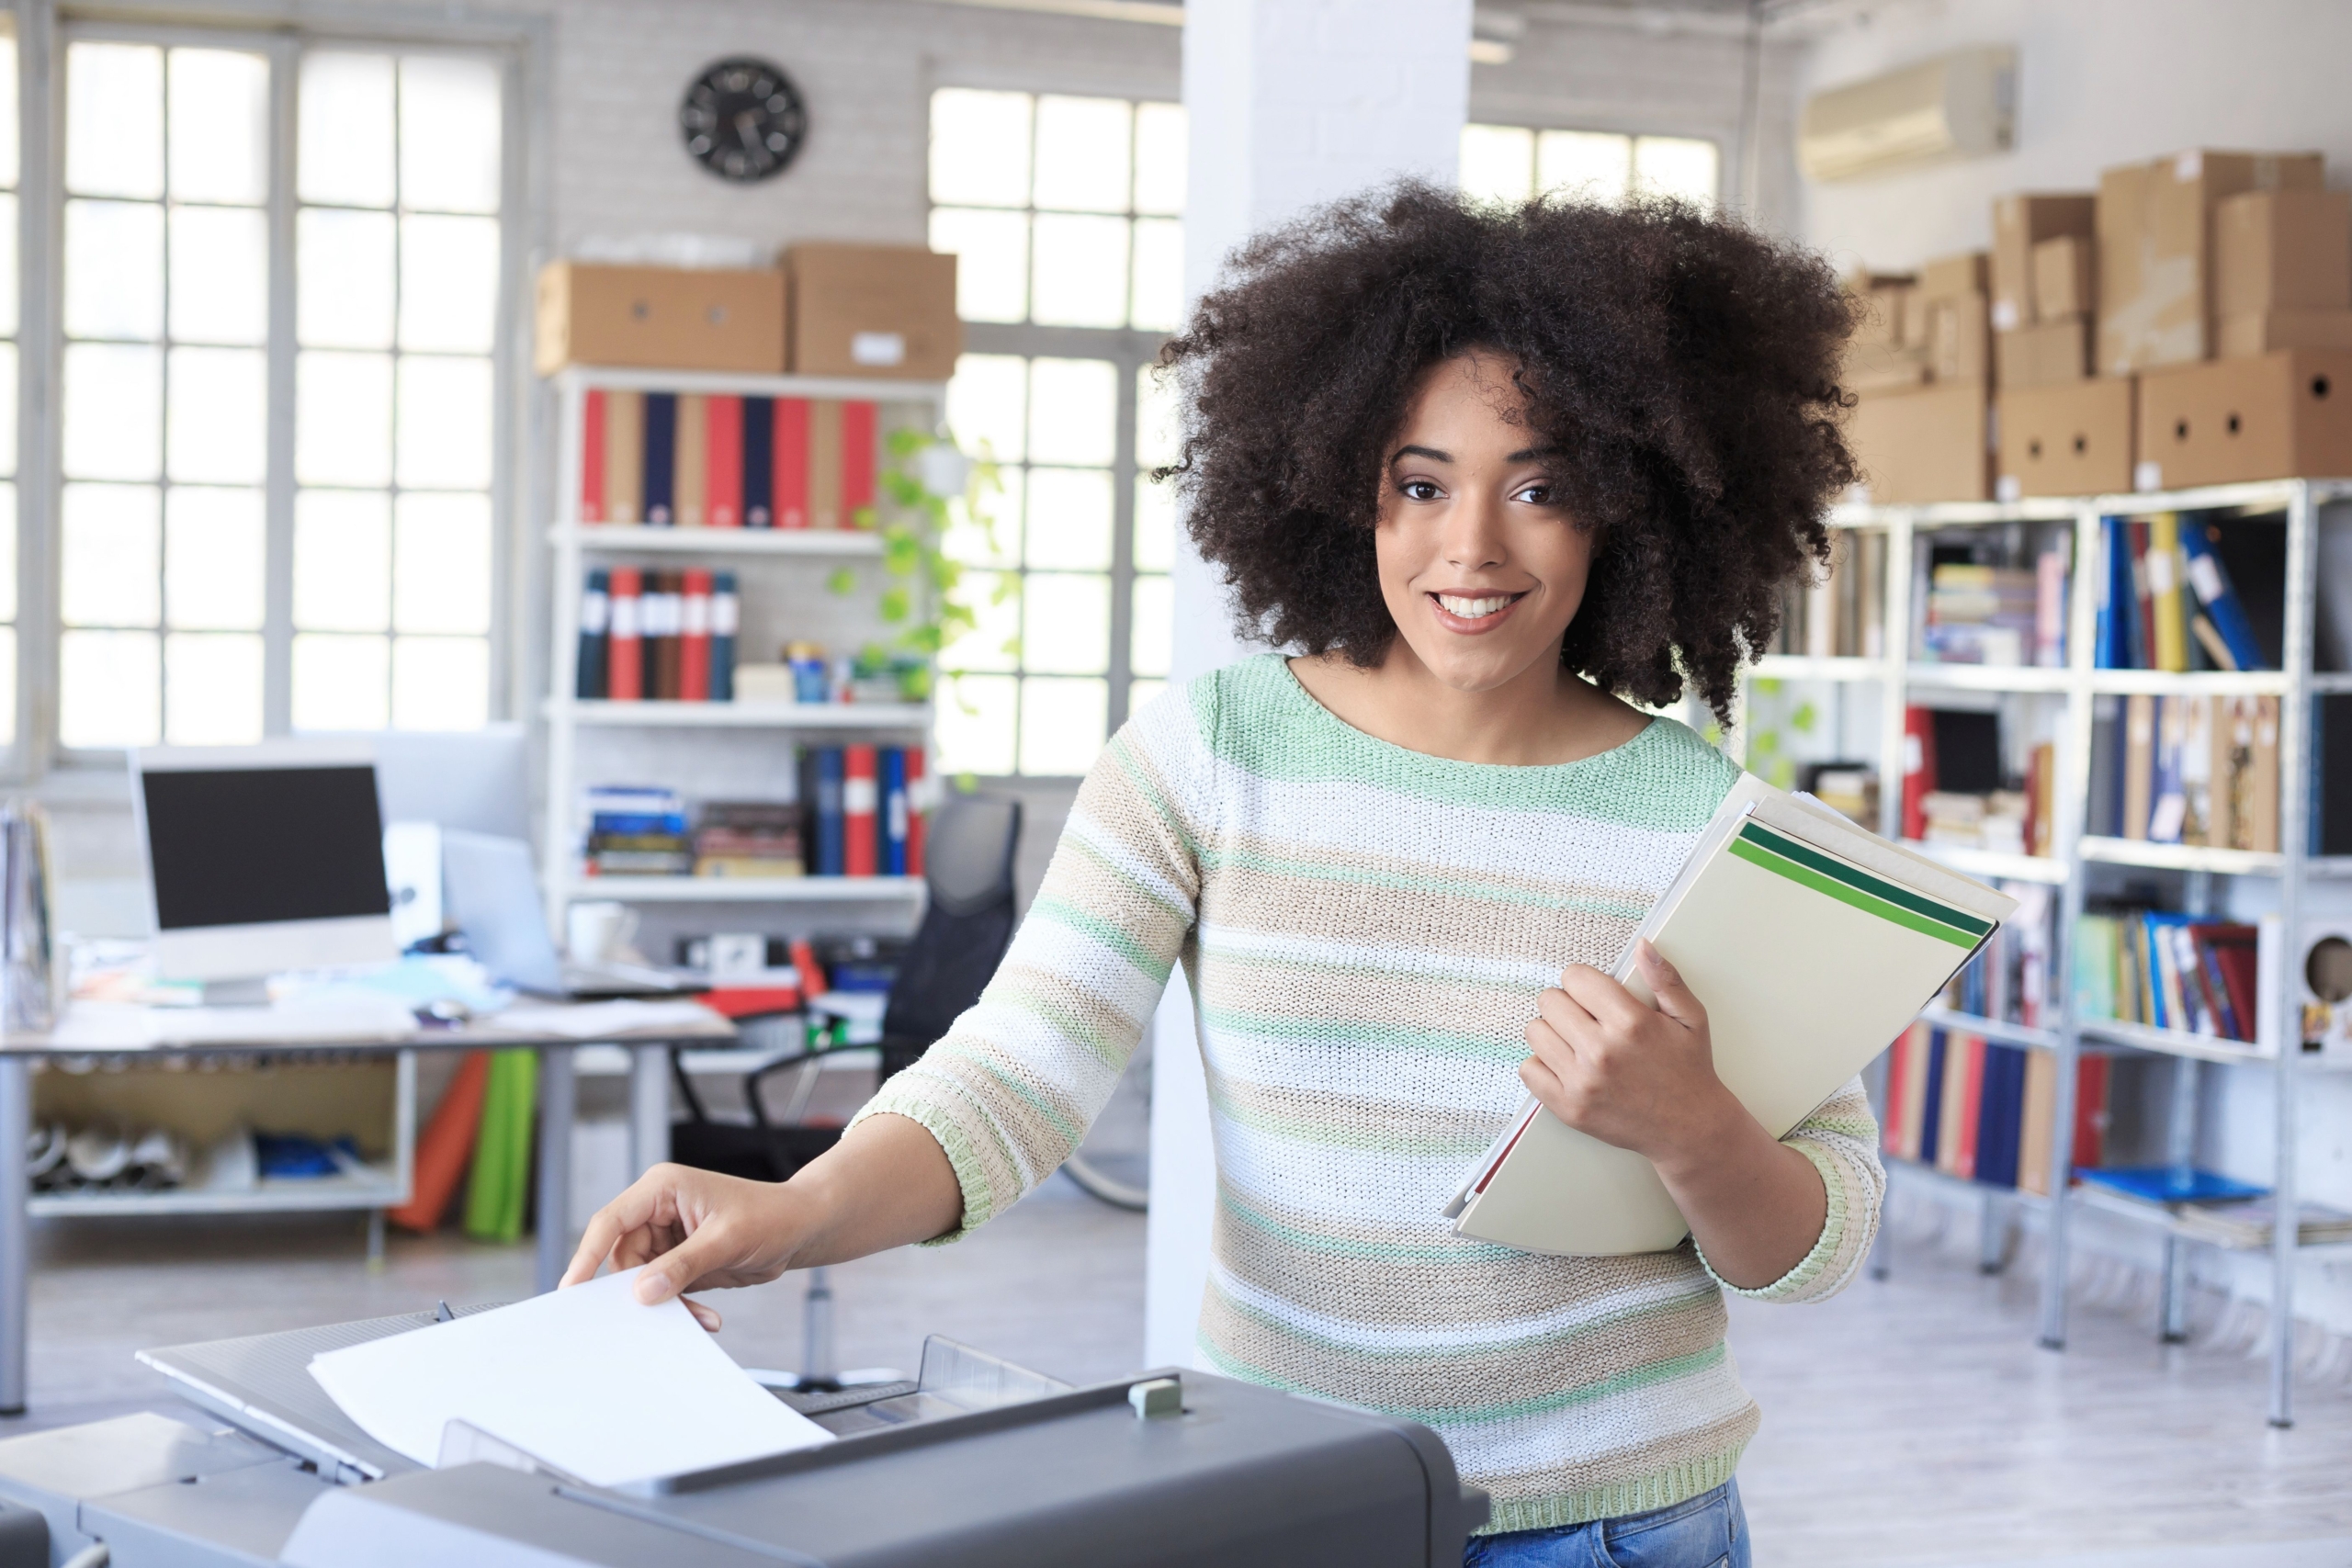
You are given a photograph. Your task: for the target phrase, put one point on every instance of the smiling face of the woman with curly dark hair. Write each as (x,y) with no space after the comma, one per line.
(1481,563)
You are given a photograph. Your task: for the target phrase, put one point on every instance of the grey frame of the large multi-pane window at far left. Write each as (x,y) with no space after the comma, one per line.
(519,51)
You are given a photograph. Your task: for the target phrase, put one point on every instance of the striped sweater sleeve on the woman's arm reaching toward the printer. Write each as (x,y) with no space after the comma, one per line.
(1020,1078)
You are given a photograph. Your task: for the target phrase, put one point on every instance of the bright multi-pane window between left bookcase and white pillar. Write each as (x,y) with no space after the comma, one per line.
(1067,220)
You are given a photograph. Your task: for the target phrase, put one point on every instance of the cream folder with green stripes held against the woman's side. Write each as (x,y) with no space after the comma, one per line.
(1812,946)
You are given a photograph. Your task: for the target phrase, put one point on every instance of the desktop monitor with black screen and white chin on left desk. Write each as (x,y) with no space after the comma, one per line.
(262,857)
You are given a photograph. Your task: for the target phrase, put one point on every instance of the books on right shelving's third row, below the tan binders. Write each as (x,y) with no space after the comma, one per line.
(2172,972)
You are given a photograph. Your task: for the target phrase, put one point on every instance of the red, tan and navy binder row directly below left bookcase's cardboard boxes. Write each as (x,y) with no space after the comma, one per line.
(697,462)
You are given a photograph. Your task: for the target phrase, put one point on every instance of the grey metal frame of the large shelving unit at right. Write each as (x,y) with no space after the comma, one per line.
(1899,678)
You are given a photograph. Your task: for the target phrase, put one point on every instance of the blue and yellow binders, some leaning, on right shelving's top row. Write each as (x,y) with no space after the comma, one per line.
(2167,601)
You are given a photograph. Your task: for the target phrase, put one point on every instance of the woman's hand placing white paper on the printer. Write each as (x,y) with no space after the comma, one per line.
(695,1231)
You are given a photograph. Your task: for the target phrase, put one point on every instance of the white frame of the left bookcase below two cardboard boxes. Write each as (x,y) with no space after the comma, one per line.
(573,542)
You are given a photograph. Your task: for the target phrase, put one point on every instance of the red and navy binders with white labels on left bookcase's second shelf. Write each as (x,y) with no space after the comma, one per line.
(667,636)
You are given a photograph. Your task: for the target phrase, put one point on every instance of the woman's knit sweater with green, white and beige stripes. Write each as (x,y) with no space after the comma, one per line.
(1365,932)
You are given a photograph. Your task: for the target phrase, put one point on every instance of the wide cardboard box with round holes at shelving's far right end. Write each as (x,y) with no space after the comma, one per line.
(2273,417)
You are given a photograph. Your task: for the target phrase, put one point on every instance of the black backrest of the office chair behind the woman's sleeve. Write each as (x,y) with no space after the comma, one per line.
(968,923)
